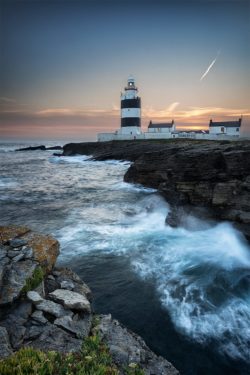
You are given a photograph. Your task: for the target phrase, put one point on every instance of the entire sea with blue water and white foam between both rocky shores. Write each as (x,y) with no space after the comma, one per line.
(185,291)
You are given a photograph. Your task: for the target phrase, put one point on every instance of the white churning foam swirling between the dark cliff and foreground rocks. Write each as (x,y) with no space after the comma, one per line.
(196,273)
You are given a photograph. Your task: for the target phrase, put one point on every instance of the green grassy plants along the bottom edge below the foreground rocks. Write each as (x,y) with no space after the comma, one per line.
(94,359)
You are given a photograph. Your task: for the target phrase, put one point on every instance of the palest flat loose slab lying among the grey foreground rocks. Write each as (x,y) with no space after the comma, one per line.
(71,300)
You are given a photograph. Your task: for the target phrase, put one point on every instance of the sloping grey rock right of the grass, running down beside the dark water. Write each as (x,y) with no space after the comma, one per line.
(126,347)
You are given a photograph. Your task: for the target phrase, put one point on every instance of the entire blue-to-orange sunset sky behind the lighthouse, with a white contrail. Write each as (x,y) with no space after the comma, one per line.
(63,64)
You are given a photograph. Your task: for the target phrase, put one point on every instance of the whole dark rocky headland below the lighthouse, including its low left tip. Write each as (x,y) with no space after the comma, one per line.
(208,179)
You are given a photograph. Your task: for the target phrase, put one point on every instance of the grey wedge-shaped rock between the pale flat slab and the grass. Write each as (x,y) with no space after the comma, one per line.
(80,327)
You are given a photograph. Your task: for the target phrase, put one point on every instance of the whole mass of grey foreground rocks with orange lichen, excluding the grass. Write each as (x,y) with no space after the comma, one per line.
(49,308)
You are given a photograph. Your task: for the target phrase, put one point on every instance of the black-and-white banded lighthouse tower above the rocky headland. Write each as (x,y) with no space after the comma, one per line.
(130,110)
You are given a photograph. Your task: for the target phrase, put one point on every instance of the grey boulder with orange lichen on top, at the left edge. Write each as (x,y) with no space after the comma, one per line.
(40,249)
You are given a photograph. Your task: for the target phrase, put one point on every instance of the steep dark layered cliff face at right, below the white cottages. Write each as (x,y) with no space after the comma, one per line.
(212,175)
